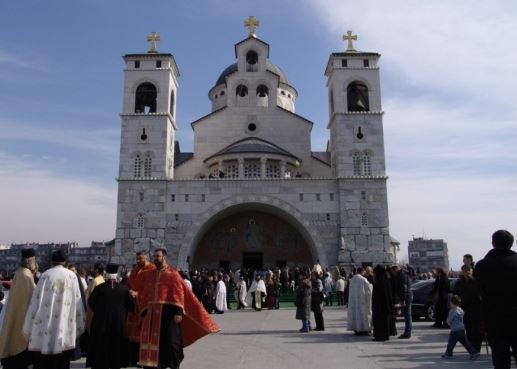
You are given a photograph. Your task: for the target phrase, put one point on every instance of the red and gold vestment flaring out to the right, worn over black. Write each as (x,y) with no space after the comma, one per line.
(162,287)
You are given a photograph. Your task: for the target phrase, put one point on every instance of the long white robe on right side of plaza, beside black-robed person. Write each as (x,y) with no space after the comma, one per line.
(359,305)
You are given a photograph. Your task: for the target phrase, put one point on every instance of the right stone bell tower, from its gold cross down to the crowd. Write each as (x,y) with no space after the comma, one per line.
(357,155)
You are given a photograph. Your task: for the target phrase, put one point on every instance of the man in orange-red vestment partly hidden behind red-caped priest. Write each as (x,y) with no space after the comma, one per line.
(135,285)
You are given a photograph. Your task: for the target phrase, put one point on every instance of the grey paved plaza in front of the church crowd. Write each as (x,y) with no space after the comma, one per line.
(270,339)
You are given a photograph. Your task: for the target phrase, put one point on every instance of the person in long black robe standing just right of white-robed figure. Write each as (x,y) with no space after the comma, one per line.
(382,305)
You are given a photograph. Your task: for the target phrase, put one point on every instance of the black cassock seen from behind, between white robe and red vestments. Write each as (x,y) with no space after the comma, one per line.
(108,342)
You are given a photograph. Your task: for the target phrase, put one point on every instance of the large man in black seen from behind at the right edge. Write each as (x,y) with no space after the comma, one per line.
(496,277)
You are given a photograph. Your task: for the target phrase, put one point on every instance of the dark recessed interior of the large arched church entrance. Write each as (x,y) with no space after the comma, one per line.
(251,236)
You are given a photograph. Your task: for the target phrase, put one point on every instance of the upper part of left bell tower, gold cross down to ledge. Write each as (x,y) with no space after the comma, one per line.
(149,114)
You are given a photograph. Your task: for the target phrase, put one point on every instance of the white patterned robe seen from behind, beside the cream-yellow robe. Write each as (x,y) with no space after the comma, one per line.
(56,315)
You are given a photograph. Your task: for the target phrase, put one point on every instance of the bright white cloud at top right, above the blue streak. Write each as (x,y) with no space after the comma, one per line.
(453,48)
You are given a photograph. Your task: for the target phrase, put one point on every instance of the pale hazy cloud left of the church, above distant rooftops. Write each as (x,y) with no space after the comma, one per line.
(39,206)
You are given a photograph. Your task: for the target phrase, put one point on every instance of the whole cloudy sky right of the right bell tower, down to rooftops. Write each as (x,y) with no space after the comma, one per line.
(450,113)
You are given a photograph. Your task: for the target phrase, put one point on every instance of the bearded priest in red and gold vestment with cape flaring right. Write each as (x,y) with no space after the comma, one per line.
(172,315)
